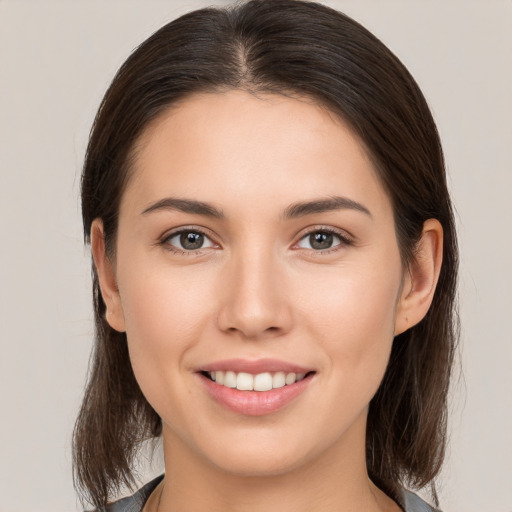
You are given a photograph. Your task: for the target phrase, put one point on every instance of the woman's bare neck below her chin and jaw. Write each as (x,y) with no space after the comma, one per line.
(336,481)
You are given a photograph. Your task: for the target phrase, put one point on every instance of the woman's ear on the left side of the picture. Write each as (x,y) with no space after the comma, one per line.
(107,278)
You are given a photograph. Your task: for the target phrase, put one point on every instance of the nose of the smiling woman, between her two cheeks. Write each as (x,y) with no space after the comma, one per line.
(254,302)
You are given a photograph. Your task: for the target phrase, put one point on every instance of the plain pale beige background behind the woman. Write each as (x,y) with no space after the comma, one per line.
(57,58)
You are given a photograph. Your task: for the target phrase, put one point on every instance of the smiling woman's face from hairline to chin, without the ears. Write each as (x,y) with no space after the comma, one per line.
(256,247)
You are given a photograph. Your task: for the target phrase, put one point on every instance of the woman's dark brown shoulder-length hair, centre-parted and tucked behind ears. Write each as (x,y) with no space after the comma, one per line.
(286,47)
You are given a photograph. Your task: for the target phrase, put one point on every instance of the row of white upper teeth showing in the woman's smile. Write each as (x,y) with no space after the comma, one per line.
(261,382)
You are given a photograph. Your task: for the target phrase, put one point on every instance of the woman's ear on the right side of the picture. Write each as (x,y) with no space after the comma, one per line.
(421,277)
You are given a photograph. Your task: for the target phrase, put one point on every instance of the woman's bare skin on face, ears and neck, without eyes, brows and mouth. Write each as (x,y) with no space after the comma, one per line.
(257,289)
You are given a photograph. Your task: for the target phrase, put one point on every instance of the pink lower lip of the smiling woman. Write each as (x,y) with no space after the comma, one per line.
(255,403)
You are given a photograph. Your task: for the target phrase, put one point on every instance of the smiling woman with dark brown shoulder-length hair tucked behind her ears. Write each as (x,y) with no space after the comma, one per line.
(274,269)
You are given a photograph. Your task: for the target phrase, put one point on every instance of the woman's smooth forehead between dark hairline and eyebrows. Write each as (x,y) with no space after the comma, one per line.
(270,147)
